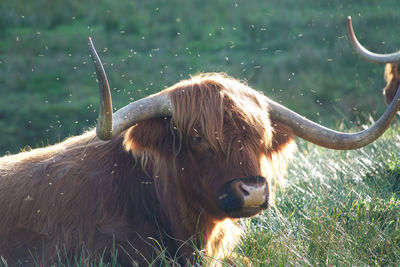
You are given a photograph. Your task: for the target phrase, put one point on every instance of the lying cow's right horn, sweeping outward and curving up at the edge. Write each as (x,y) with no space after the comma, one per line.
(328,138)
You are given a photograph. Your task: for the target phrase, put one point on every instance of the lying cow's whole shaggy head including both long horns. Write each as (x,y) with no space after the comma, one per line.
(212,136)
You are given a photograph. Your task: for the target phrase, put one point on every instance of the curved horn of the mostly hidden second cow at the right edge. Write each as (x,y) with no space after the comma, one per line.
(368,55)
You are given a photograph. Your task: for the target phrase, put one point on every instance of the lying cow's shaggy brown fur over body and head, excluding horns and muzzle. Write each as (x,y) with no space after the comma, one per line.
(154,185)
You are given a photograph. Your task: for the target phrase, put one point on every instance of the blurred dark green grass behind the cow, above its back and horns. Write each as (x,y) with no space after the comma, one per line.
(297,52)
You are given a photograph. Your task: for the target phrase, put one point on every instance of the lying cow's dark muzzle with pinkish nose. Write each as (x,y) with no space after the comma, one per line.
(244,197)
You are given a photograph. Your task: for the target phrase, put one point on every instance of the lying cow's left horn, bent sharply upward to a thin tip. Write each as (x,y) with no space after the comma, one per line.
(110,125)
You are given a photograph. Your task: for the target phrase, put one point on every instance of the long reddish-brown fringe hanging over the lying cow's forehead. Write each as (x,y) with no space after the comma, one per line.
(215,102)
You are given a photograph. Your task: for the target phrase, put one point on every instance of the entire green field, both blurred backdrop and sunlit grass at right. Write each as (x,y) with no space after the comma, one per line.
(337,208)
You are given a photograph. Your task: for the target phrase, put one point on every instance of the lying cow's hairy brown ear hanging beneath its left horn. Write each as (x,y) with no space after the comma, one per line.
(147,135)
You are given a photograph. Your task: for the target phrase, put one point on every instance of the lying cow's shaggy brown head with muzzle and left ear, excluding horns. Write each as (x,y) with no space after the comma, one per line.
(215,144)
